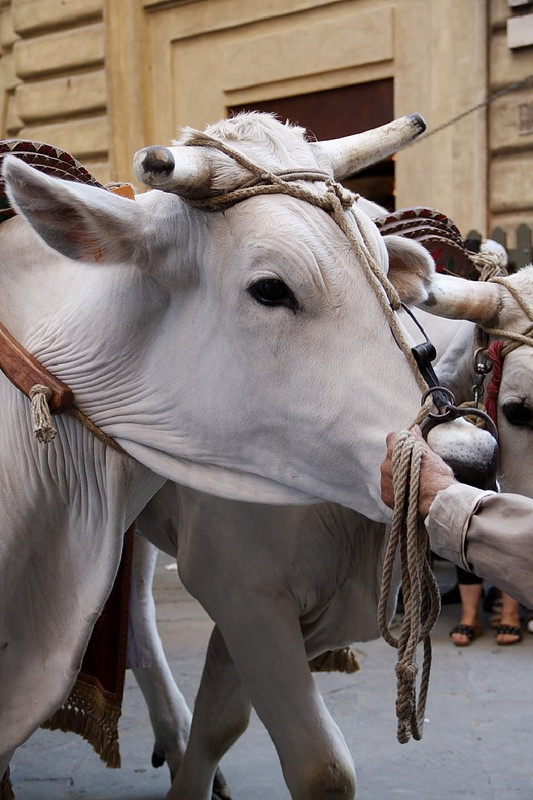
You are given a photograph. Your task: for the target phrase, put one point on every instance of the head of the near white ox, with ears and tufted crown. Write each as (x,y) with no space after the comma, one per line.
(240,352)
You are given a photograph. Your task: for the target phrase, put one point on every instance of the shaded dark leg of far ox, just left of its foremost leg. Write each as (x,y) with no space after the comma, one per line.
(221,715)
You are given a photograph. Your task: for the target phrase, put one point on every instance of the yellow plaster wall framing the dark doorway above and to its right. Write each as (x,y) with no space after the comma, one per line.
(254,51)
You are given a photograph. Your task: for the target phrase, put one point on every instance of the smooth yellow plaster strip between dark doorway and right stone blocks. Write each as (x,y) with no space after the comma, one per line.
(441,71)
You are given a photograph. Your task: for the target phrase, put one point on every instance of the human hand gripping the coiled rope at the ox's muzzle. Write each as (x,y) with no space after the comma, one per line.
(435,474)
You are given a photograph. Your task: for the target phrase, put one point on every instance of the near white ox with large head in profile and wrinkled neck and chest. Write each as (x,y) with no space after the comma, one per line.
(226,352)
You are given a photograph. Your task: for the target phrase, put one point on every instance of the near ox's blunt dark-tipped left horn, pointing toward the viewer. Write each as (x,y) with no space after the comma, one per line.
(190,175)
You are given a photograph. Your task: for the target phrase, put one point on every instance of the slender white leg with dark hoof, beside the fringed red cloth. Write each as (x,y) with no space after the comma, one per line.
(169,713)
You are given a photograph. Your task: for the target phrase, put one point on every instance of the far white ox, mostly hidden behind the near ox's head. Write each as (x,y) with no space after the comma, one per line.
(284,584)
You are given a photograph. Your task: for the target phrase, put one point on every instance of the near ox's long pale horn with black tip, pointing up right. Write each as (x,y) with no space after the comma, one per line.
(351,154)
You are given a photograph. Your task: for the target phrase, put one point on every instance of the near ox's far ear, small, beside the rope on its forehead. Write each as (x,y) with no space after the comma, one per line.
(411,268)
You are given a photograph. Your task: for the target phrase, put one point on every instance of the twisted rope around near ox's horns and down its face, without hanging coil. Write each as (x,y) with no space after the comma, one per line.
(336,201)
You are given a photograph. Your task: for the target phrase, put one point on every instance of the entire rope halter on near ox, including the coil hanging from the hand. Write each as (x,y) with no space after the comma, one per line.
(421,596)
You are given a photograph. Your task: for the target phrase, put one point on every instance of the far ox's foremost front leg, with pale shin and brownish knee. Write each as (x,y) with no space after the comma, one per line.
(265,642)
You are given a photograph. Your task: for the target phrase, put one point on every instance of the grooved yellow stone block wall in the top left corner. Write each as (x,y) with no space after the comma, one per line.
(54,76)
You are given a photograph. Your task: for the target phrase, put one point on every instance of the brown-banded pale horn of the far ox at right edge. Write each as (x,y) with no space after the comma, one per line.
(458,298)
